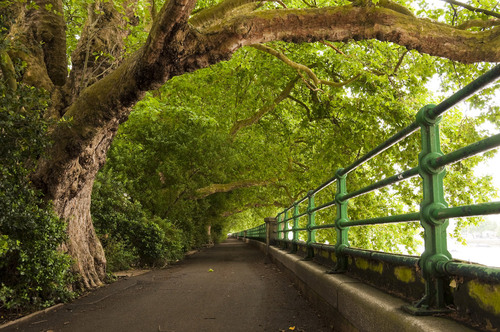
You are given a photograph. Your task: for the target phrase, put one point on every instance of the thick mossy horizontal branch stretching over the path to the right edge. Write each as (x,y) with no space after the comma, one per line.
(358,23)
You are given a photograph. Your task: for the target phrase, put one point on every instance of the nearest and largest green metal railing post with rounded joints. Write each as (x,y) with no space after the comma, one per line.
(436,251)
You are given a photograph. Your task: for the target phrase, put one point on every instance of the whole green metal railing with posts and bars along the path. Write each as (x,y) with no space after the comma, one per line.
(436,261)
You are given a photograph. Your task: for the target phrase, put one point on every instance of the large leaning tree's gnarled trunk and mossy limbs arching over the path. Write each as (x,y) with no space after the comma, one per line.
(107,77)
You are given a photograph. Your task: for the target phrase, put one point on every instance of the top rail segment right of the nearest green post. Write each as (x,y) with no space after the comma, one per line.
(481,82)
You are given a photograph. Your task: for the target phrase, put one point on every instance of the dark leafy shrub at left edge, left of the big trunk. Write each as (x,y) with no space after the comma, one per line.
(33,272)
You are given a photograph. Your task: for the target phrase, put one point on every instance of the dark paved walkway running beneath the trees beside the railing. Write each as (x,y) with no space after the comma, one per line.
(242,293)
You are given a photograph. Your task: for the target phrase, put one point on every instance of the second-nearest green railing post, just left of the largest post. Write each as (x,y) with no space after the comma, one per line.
(342,238)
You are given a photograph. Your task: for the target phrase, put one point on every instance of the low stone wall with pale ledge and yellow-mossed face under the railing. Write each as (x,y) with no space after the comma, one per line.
(355,303)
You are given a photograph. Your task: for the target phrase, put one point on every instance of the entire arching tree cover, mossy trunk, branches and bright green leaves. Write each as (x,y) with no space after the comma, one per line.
(235,108)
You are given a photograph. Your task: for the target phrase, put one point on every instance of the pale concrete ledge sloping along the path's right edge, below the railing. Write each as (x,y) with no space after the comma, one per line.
(349,304)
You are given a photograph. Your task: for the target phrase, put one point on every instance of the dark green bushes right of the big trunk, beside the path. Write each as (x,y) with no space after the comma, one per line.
(129,234)
